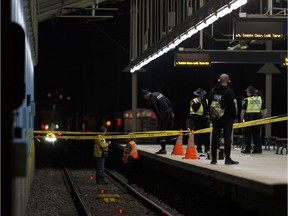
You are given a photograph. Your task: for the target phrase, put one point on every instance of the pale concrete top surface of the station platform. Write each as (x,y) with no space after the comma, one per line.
(267,168)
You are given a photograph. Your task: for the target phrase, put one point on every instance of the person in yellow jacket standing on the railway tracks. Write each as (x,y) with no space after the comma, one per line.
(100,152)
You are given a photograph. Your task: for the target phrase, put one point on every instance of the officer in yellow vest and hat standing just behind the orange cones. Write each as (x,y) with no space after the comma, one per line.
(200,117)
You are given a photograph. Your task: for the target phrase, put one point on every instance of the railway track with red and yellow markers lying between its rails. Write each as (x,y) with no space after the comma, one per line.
(117,197)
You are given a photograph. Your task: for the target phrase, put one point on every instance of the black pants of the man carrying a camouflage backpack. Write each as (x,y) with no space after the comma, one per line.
(227,126)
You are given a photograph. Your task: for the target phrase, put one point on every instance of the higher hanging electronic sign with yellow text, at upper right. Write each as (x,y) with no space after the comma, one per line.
(259,28)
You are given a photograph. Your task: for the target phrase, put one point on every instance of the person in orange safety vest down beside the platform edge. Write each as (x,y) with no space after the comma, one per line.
(130,159)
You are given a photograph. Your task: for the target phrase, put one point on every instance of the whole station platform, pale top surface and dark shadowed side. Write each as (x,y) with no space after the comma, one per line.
(258,182)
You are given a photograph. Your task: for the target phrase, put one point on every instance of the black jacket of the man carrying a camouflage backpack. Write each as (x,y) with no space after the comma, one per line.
(225,95)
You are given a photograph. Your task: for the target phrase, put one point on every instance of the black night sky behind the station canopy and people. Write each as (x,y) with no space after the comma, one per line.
(85,60)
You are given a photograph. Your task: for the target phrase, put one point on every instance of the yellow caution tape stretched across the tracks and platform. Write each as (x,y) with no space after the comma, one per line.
(146,134)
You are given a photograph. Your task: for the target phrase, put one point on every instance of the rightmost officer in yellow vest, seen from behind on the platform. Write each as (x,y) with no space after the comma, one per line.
(253,108)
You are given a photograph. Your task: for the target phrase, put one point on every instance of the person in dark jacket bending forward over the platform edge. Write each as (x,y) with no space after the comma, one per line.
(162,107)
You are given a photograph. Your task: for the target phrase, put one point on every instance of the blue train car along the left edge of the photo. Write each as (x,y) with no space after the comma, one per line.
(19,33)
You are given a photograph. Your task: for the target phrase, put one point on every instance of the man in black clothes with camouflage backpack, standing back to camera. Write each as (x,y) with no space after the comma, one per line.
(225,95)
